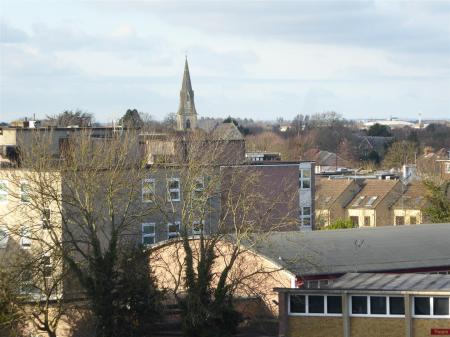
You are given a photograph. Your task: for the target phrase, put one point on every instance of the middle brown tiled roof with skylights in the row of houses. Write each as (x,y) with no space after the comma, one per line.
(376,188)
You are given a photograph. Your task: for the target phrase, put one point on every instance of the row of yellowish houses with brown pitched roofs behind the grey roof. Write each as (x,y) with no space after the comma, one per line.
(369,202)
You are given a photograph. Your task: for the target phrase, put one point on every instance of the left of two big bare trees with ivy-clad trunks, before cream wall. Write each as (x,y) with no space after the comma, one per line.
(90,202)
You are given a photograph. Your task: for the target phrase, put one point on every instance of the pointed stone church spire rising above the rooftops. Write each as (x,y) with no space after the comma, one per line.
(186,115)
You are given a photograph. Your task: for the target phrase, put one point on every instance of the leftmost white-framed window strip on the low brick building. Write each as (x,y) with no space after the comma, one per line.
(315,305)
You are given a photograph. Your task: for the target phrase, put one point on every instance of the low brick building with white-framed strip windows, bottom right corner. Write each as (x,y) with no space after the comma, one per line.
(366,305)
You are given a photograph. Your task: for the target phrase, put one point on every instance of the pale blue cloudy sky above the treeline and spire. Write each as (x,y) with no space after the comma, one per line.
(248,59)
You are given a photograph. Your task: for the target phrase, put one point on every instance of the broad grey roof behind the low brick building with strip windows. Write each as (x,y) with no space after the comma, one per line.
(377,249)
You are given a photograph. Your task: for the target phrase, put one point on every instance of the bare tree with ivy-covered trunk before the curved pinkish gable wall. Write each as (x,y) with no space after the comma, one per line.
(223,213)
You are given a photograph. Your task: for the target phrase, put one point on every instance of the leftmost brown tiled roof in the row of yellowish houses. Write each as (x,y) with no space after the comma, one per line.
(328,190)
